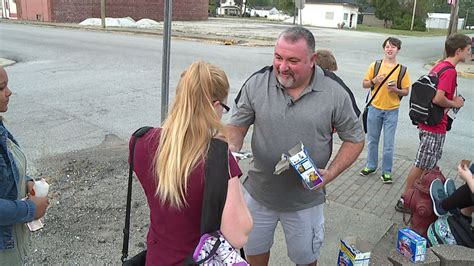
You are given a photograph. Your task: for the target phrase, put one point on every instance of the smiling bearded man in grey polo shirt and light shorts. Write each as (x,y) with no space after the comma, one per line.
(294,100)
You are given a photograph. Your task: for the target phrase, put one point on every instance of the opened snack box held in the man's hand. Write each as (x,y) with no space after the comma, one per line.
(305,167)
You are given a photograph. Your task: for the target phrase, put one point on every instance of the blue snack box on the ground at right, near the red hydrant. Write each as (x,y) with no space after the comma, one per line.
(412,245)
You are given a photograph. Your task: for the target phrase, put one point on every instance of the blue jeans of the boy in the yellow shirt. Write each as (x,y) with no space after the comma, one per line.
(376,120)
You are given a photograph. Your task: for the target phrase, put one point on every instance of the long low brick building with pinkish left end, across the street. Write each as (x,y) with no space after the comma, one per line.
(74,11)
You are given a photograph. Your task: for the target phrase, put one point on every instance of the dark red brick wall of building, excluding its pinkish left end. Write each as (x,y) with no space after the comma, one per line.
(75,11)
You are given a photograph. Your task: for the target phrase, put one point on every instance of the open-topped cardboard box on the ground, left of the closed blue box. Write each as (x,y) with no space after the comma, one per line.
(354,251)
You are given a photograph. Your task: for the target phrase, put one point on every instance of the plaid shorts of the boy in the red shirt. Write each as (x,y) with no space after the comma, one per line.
(430,149)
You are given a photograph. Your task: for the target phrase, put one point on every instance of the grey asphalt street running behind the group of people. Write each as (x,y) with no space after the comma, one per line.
(72,87)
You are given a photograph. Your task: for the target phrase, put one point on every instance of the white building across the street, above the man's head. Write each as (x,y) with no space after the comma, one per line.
(330,13)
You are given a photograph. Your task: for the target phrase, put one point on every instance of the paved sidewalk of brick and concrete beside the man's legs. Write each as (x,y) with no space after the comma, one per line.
(359,206)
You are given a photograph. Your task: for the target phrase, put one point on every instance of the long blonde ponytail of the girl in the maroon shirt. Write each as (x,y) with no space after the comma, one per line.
(188,129)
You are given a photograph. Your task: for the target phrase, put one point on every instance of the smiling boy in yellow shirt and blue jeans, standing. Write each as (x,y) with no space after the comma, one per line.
(383,111)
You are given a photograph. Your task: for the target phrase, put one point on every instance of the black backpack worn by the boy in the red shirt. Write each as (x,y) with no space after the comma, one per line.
(422,109)
